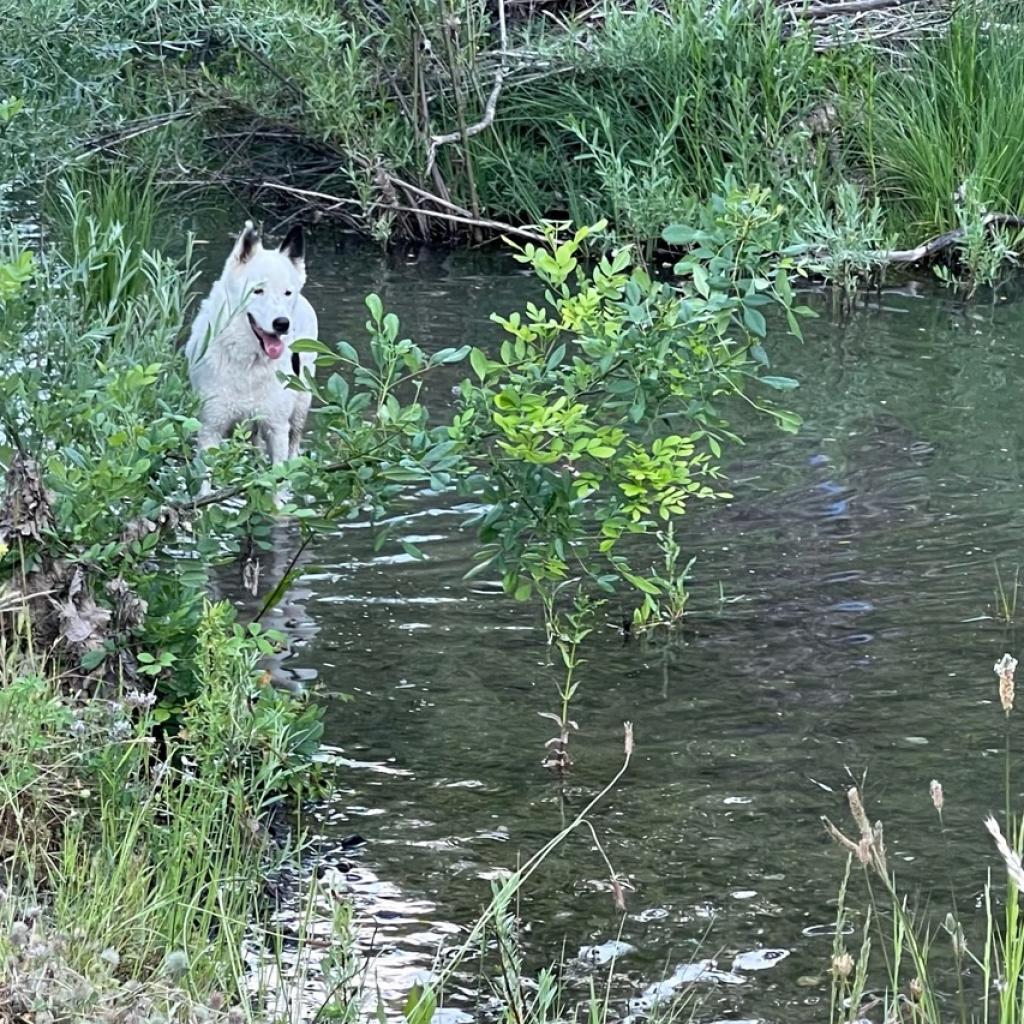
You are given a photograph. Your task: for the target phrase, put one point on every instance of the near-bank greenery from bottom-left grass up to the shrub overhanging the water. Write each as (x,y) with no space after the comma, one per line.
(140,723)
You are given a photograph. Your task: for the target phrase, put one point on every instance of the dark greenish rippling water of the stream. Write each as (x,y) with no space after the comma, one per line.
(858,567)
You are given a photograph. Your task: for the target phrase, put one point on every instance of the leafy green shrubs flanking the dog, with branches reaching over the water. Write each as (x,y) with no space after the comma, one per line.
(602,416)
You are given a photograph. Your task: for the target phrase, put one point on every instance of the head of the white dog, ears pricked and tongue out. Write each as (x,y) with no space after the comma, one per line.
(266,284)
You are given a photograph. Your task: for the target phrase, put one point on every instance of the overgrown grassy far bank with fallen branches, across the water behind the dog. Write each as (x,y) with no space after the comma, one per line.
(448,119)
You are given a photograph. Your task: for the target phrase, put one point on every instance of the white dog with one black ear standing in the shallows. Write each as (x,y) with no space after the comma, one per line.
(240,354)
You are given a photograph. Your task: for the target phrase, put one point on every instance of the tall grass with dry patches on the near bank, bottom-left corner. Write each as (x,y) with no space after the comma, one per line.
(133,874)
